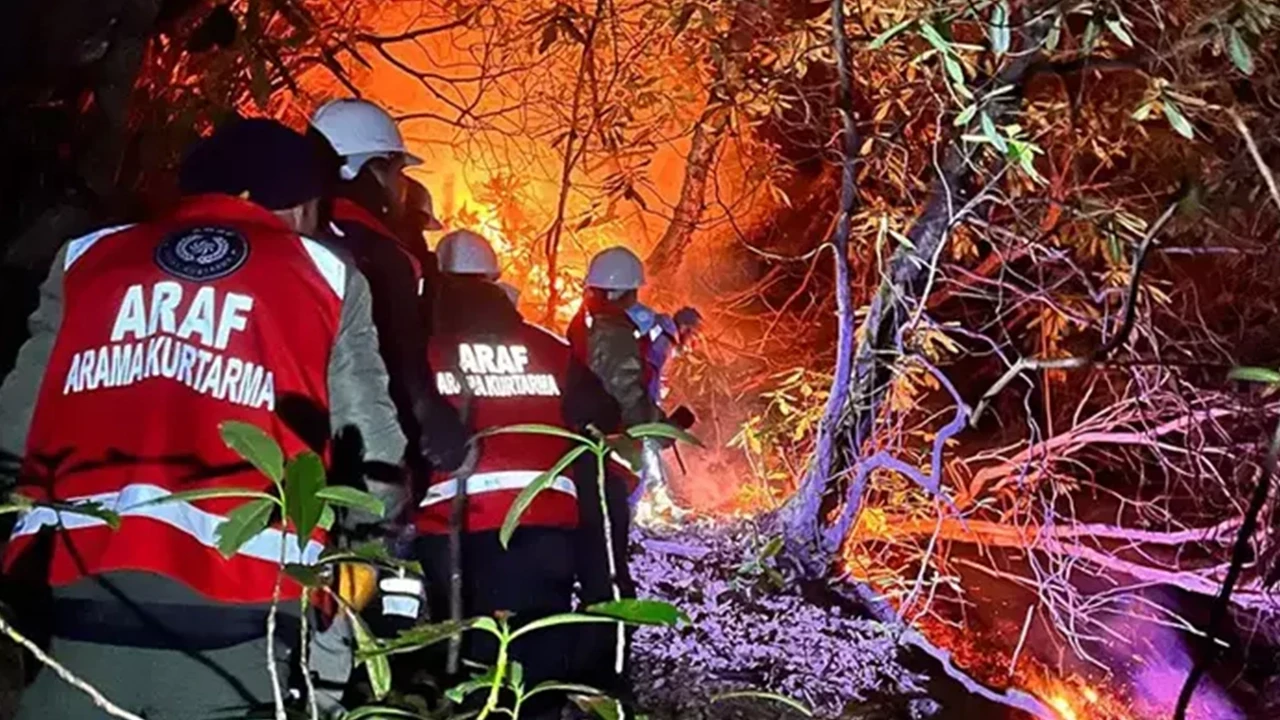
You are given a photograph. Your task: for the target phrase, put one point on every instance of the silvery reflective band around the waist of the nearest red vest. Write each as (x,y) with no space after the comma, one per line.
(200,525)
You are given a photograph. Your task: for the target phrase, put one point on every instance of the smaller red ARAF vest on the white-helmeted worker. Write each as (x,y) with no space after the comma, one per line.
(514,380)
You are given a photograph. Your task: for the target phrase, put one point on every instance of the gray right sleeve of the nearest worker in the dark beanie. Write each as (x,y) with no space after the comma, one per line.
(362,413)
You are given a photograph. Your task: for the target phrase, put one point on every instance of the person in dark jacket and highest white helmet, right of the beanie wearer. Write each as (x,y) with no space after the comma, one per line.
(369,206)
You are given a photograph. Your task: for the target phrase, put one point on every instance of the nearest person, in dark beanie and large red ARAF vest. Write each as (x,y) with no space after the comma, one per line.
(147,340)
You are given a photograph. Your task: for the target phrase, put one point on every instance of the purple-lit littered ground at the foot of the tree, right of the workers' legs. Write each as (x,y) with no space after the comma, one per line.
(752,631)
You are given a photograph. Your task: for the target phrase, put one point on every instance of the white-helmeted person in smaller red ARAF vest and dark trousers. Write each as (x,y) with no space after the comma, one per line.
(502,371)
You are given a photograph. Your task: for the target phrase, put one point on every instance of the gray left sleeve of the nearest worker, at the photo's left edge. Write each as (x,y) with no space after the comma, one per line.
(22,388)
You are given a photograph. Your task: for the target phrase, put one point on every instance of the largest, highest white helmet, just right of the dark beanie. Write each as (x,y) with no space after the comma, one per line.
(360,131)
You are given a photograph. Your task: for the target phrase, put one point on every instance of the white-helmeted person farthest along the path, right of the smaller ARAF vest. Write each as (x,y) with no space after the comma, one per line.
(614,335)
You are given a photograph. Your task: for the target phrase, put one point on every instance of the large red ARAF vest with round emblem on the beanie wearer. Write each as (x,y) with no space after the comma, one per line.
(170,329)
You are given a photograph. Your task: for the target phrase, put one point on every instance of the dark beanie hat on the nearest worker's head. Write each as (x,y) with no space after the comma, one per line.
(276,166)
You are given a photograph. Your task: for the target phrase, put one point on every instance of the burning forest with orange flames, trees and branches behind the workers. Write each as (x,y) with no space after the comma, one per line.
(984,284)
